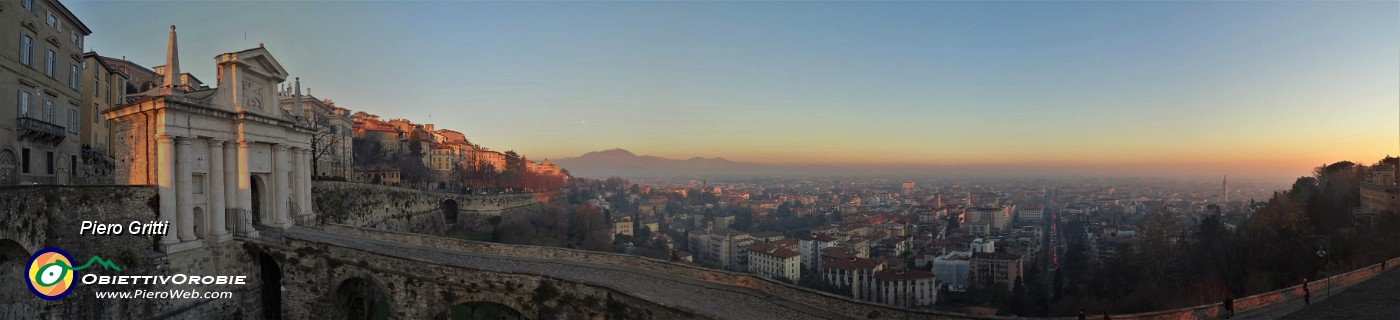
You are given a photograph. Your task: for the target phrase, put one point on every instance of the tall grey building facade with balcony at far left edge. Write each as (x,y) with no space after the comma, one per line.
(41,80)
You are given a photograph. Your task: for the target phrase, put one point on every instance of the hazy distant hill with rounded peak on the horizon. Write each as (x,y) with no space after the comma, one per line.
(625,164)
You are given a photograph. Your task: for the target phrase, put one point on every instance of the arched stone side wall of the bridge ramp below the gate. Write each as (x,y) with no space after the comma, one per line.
(313,275)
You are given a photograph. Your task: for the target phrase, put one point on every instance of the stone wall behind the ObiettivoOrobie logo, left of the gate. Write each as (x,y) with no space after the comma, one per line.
(38,217)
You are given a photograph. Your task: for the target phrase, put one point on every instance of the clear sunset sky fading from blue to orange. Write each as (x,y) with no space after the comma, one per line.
(1263,89)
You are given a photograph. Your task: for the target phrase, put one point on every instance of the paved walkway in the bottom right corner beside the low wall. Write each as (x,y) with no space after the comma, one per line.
(1375,298)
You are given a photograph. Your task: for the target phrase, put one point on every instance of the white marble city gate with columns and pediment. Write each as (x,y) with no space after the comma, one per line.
(222,159)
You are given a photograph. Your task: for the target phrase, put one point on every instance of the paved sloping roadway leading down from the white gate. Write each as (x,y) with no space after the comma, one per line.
(698,297)
